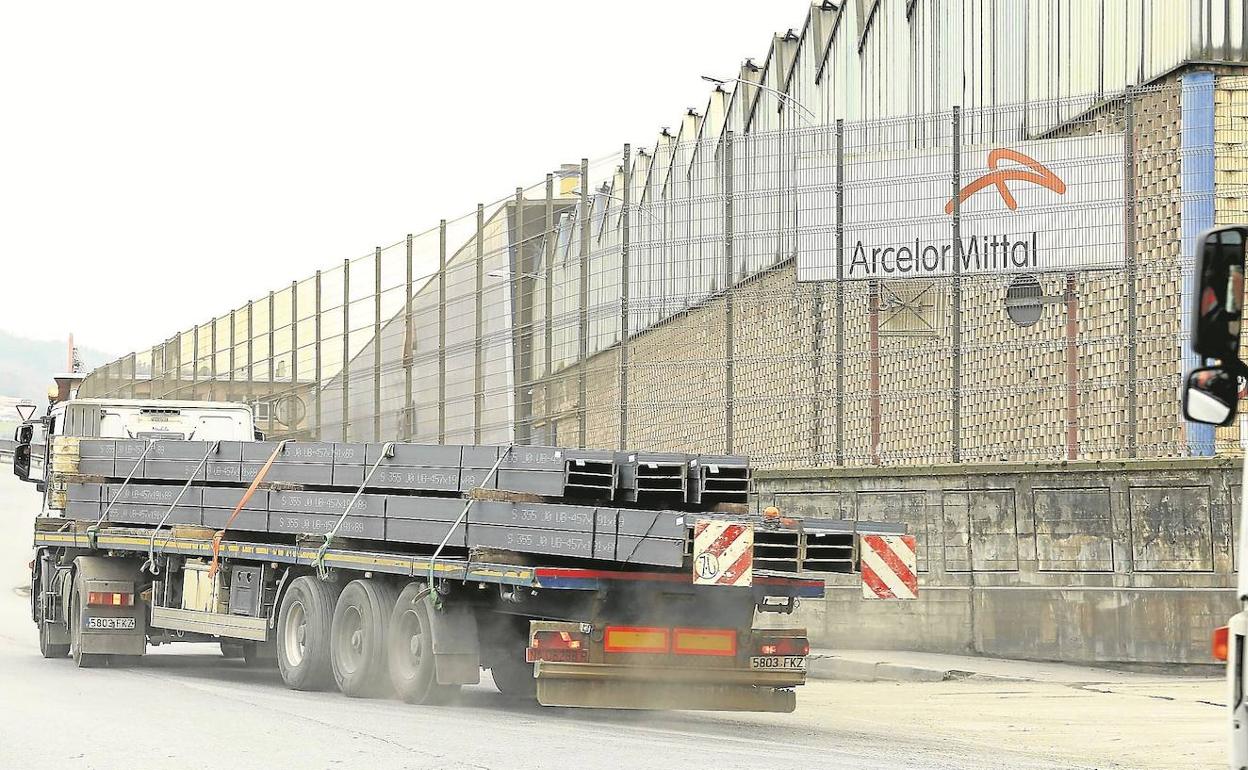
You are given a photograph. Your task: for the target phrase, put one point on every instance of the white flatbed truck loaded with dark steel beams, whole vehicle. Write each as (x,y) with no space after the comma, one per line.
(622,607)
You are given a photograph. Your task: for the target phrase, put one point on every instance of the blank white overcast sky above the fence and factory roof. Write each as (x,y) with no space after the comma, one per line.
(163,163)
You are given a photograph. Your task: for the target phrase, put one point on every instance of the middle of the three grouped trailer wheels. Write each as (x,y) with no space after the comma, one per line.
(358,638)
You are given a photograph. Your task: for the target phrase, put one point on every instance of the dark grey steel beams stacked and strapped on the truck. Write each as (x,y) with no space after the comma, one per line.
(621,507)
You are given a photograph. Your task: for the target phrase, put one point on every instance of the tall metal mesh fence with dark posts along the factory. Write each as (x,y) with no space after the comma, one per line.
(987,285)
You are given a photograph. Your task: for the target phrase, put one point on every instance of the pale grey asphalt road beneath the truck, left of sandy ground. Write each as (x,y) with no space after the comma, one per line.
(184,707)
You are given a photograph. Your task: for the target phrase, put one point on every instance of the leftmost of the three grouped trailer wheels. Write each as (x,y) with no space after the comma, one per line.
(304,633)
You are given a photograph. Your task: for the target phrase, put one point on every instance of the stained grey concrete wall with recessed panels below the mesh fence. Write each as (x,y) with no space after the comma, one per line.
(1114,562)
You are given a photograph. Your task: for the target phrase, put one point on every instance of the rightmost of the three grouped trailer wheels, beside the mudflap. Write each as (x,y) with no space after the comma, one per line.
(410,647)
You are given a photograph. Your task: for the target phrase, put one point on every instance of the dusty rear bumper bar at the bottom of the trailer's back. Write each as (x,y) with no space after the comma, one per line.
(630,687)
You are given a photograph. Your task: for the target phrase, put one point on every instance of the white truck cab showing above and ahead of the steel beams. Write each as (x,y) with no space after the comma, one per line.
(128,419)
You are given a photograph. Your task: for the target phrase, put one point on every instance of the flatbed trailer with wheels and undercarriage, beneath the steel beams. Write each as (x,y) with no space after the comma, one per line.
(590,645)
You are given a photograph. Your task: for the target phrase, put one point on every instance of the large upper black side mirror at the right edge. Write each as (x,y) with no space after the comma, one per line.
(1219,301)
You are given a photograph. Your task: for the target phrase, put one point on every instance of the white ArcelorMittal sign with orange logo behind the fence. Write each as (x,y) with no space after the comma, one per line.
(1024,208)
